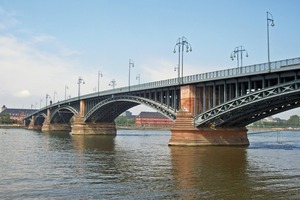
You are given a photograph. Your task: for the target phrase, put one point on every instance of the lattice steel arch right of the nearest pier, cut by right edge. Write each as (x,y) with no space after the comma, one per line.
(252,107)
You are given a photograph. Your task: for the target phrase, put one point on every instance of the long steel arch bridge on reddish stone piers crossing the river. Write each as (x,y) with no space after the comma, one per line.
(211,108)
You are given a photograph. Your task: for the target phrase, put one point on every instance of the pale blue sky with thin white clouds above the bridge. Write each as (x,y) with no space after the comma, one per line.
(47,45)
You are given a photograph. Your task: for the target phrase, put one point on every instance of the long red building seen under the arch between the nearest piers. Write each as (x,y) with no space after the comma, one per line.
(152,119)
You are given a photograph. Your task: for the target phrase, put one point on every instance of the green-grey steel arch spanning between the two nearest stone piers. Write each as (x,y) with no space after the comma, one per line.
(109,109)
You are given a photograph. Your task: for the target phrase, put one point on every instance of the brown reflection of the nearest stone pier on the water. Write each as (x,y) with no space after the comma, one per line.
(210,172)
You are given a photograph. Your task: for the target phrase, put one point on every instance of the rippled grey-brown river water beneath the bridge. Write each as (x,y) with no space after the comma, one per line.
(140,165)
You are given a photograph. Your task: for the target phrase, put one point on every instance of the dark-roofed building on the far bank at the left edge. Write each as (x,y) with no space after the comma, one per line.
(16,113)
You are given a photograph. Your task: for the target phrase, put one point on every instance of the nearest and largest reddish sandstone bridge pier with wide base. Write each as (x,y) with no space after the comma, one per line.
(185,134)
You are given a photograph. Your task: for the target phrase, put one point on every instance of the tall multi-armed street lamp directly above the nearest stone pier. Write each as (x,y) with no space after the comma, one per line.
(181,43)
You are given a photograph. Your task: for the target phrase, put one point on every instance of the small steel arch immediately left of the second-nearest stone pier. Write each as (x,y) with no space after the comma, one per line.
(63,114)
